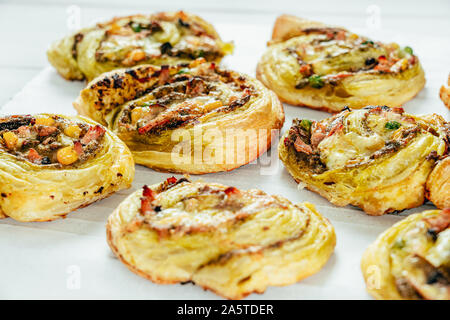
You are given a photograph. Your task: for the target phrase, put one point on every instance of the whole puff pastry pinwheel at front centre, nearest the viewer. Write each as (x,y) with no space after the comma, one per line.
(230,241)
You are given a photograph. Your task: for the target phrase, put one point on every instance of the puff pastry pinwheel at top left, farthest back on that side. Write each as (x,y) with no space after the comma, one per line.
(161,38)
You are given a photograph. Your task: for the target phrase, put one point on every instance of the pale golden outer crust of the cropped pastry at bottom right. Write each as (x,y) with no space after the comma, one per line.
(378,254)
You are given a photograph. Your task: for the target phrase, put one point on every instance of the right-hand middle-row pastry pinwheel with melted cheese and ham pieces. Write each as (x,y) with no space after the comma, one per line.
(376,158)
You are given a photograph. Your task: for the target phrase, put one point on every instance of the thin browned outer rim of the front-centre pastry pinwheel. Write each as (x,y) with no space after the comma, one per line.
(111,242)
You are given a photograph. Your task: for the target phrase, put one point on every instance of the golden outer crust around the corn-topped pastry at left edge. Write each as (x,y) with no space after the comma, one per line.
(57,208)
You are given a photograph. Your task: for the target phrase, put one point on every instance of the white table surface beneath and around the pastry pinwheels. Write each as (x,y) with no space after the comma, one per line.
(40,259)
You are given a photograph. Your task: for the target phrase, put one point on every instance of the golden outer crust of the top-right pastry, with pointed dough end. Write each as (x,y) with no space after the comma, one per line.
(289,26)
